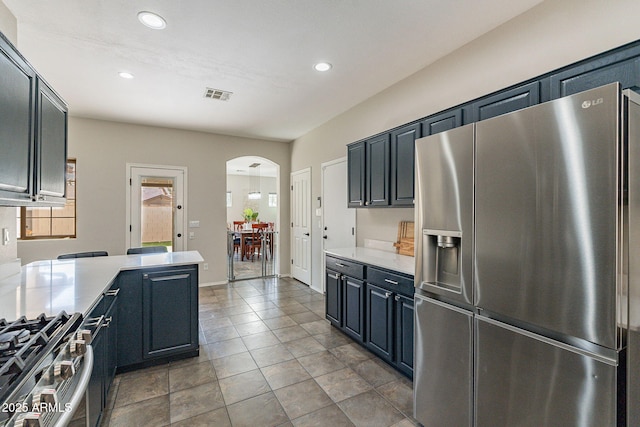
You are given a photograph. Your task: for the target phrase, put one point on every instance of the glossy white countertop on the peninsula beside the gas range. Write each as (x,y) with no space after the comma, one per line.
(74,285)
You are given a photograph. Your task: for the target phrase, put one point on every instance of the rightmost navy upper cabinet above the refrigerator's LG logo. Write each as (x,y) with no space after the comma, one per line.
(617,67)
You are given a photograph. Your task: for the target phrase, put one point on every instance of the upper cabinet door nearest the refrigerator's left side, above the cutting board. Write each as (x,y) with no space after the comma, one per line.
(402,164)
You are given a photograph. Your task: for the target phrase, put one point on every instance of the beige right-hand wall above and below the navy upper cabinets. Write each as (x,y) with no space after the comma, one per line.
(547,37)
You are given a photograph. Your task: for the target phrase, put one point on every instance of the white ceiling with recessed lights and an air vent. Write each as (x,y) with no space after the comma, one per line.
(263,51)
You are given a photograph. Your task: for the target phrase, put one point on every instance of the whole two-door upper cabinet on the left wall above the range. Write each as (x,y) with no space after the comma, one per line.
(33,135)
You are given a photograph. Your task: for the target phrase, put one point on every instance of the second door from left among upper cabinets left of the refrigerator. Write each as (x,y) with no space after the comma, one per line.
(377,171)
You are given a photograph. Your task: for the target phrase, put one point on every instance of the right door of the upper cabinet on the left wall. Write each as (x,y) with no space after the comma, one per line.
(51,145)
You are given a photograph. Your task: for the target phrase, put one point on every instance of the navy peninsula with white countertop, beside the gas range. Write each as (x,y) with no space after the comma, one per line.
(139,310)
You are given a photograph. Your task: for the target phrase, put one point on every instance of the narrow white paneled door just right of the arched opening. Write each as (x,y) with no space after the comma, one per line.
(301,225)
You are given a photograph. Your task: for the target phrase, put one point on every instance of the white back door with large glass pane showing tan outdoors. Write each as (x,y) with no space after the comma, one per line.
(157,206)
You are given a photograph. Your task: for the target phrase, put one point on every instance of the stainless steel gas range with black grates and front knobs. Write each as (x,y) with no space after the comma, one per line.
(45,365)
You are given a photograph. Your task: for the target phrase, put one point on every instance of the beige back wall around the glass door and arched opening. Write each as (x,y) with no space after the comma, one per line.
(102,150)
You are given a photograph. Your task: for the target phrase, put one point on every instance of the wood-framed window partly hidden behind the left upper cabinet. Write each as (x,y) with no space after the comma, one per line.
(51,222)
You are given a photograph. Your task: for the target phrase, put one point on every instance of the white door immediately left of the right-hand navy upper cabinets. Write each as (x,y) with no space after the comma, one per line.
(338,221)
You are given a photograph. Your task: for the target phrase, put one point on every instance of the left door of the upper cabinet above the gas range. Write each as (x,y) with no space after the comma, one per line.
(17,97)
